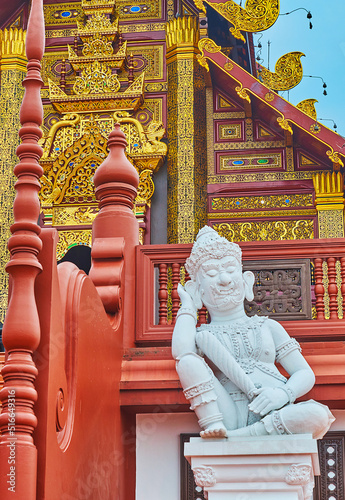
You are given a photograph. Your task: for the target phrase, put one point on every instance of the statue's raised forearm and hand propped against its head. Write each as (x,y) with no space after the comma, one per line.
(183,340)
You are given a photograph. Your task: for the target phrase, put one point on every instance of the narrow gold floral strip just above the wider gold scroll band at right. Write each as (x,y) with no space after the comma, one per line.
(260,202)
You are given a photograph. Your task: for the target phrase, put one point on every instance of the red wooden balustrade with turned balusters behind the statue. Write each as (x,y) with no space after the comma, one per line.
(161,267)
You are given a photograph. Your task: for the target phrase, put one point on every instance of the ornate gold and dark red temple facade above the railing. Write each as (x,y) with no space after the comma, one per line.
(208,148)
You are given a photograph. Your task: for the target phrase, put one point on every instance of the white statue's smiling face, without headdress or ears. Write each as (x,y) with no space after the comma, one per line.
(221,284)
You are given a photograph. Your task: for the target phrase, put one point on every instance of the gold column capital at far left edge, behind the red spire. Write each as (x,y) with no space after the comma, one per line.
(12,49)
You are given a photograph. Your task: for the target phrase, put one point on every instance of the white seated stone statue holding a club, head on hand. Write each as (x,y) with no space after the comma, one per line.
(227,368)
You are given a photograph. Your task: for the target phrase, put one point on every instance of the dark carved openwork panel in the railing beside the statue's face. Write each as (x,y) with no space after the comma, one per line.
(281,289)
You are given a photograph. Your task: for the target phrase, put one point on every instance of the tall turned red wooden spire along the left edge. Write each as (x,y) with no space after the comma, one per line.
(21,331)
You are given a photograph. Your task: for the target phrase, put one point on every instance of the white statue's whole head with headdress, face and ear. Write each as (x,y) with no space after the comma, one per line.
(215,269)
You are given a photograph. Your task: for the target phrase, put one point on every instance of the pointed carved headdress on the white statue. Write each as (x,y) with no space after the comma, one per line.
(209,245)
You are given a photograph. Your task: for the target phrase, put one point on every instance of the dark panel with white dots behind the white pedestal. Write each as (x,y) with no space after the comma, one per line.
(329,486)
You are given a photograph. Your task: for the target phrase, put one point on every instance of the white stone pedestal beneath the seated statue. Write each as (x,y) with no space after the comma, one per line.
(255,468)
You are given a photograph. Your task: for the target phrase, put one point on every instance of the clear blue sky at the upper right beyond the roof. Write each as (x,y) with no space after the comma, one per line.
(324,47)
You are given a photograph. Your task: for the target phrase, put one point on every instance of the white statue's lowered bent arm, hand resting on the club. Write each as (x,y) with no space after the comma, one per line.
(300,382)
